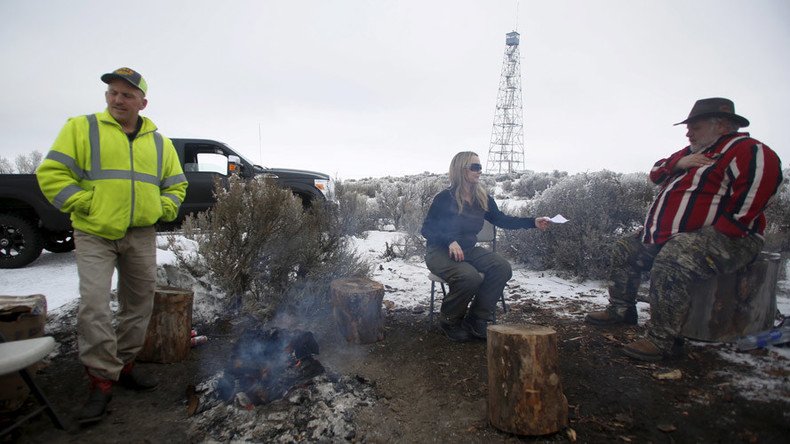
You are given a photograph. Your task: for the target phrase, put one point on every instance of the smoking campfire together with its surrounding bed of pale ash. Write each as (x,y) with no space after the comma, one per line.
(275,390)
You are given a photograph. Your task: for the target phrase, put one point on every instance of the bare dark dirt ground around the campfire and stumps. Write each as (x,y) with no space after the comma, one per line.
(434,390)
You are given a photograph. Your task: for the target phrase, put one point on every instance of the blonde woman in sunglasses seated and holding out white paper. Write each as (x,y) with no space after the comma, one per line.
(450,229)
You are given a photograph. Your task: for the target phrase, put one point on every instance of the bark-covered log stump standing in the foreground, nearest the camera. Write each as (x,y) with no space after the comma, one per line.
(524,391)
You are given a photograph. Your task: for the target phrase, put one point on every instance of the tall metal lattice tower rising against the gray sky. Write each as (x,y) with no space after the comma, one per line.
(506,152)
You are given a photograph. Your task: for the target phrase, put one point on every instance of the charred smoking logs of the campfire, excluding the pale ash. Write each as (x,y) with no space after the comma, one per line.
(266,364)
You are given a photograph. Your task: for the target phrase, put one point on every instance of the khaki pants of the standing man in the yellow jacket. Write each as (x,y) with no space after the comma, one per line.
(102,349)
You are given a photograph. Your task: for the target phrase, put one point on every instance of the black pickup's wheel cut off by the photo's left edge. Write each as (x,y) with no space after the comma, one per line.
(20,242)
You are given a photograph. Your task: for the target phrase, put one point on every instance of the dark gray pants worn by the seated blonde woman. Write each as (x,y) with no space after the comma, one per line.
(465,282)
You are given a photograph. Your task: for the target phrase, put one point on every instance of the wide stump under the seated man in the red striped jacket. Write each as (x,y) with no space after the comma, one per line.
(736,304)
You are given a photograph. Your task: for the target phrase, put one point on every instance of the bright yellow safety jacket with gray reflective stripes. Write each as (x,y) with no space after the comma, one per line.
(108,183)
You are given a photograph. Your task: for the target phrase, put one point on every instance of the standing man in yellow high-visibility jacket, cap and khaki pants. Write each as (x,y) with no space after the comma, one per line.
(117,177)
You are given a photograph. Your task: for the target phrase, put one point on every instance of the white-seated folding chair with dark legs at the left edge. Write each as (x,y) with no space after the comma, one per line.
(16,356)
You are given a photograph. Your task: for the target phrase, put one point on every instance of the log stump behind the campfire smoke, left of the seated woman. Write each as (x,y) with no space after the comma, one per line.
(356,304)
